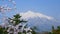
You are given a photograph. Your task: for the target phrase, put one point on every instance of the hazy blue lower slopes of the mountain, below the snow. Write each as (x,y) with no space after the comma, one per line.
(42,24)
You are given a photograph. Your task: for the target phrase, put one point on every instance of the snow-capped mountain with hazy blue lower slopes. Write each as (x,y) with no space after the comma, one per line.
(41,21)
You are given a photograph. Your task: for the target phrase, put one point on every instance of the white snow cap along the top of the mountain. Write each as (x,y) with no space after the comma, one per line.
(30,14)
